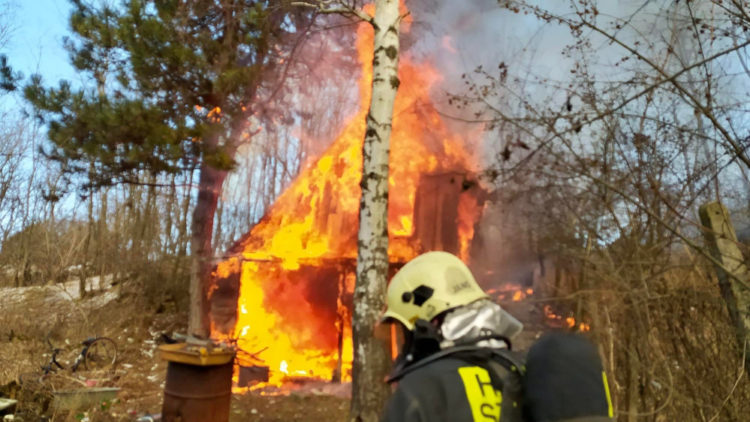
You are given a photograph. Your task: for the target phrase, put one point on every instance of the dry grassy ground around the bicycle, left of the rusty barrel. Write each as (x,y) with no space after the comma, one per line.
(32,315)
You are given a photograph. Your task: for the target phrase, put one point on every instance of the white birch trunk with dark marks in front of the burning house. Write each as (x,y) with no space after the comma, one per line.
(371,352)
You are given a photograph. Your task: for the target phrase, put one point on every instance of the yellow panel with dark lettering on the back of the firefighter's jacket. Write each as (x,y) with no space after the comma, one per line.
(484,400)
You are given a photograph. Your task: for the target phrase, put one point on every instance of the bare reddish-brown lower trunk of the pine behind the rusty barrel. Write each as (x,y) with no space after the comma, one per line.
(209,189)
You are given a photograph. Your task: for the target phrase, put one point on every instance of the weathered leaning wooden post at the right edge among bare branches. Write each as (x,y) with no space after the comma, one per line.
(733,274)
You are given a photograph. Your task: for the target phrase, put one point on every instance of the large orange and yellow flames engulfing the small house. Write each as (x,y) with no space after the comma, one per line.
(300,255)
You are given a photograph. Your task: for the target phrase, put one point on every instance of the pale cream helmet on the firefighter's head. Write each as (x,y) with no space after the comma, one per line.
(428,285)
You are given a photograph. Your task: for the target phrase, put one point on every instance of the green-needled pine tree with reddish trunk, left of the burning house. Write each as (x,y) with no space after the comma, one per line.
(173,86)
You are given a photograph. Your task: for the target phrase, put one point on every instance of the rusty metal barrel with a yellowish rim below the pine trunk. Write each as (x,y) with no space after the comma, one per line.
(198,385)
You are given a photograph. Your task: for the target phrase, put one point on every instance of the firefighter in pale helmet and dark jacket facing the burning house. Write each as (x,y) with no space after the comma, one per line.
(454,362)
